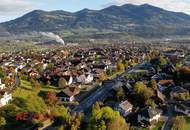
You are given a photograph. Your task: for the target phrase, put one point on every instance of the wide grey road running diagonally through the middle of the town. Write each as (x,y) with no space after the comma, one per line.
(101,93)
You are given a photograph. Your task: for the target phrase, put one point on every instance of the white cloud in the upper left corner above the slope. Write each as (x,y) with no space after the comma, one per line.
(15,7)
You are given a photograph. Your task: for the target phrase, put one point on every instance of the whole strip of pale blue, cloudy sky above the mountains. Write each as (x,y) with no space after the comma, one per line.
(11,9)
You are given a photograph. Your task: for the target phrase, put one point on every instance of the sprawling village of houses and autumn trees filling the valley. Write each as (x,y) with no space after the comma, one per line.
(87,87)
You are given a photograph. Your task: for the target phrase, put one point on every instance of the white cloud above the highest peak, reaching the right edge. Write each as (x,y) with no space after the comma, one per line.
(172,5)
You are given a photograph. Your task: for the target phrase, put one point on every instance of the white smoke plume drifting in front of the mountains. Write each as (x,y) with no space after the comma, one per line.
(53,36)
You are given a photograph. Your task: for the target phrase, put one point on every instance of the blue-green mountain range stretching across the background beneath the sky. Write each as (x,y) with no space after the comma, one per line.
(143,20)
